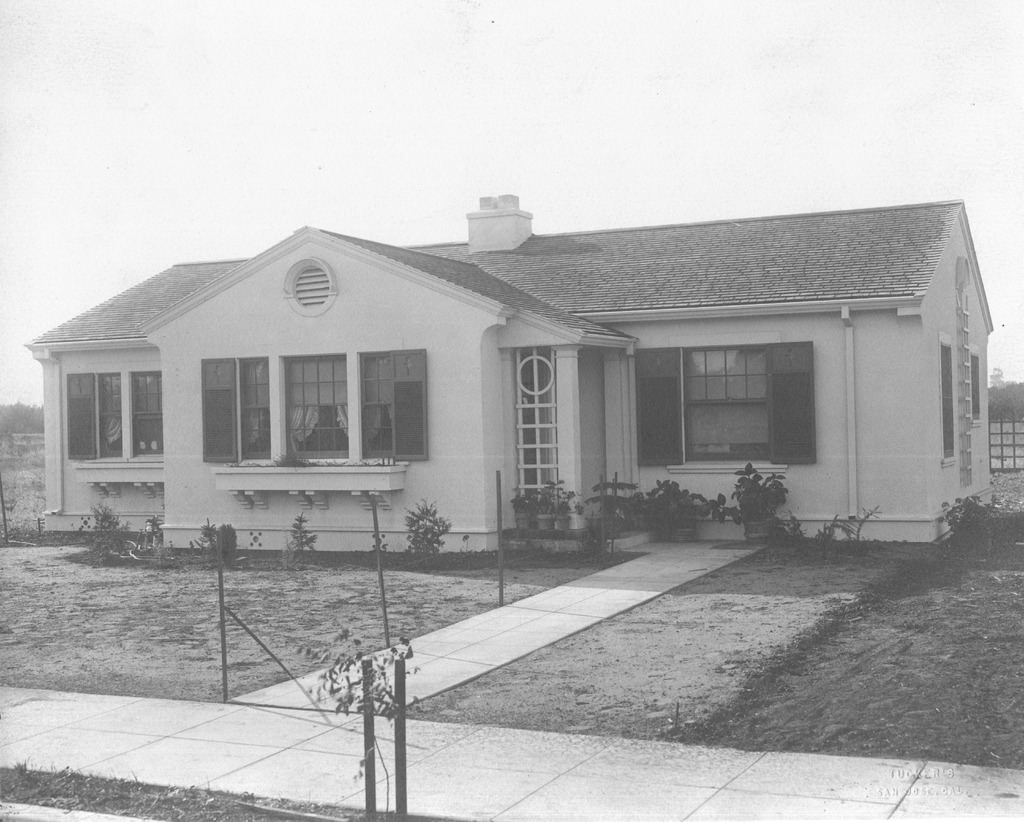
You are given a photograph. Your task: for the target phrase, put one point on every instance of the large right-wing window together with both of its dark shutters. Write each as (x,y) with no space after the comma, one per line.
(727,404)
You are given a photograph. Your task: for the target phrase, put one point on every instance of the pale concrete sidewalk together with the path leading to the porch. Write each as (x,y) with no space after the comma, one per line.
(479,772)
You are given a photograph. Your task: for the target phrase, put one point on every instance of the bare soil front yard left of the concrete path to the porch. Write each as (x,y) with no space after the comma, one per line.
(150,632)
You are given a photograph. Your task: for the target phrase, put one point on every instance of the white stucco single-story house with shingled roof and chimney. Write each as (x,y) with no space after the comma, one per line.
(844,350)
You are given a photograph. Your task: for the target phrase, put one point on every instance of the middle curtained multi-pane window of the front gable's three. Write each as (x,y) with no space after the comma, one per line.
(317,393)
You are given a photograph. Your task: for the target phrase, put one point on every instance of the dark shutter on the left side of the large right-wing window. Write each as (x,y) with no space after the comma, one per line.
(659,407)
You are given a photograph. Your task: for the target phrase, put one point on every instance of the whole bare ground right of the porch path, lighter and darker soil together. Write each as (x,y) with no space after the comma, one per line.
(905,653)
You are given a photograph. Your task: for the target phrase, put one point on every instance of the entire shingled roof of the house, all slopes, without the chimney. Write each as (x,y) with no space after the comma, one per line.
(845,255)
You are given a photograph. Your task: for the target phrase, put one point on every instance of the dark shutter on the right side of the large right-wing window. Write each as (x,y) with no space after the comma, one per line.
(791,403)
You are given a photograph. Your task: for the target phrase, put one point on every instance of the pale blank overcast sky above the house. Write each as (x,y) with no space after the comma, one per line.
(138,135)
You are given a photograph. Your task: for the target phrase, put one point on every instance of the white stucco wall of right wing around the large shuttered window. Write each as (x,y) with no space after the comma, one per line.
(888,456)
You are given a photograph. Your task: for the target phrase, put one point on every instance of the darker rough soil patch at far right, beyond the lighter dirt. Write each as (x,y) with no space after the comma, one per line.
(934,669)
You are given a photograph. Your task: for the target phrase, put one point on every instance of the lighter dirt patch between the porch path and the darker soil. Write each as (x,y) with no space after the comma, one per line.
(694,647)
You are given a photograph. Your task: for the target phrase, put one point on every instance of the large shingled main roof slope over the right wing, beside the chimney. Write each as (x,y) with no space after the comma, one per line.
(844,255)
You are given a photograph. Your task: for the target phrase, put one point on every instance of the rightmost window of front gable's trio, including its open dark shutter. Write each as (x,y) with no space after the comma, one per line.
(395,405)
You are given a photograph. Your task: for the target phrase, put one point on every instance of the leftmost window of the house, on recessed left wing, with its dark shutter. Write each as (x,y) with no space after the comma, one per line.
(95,416)
